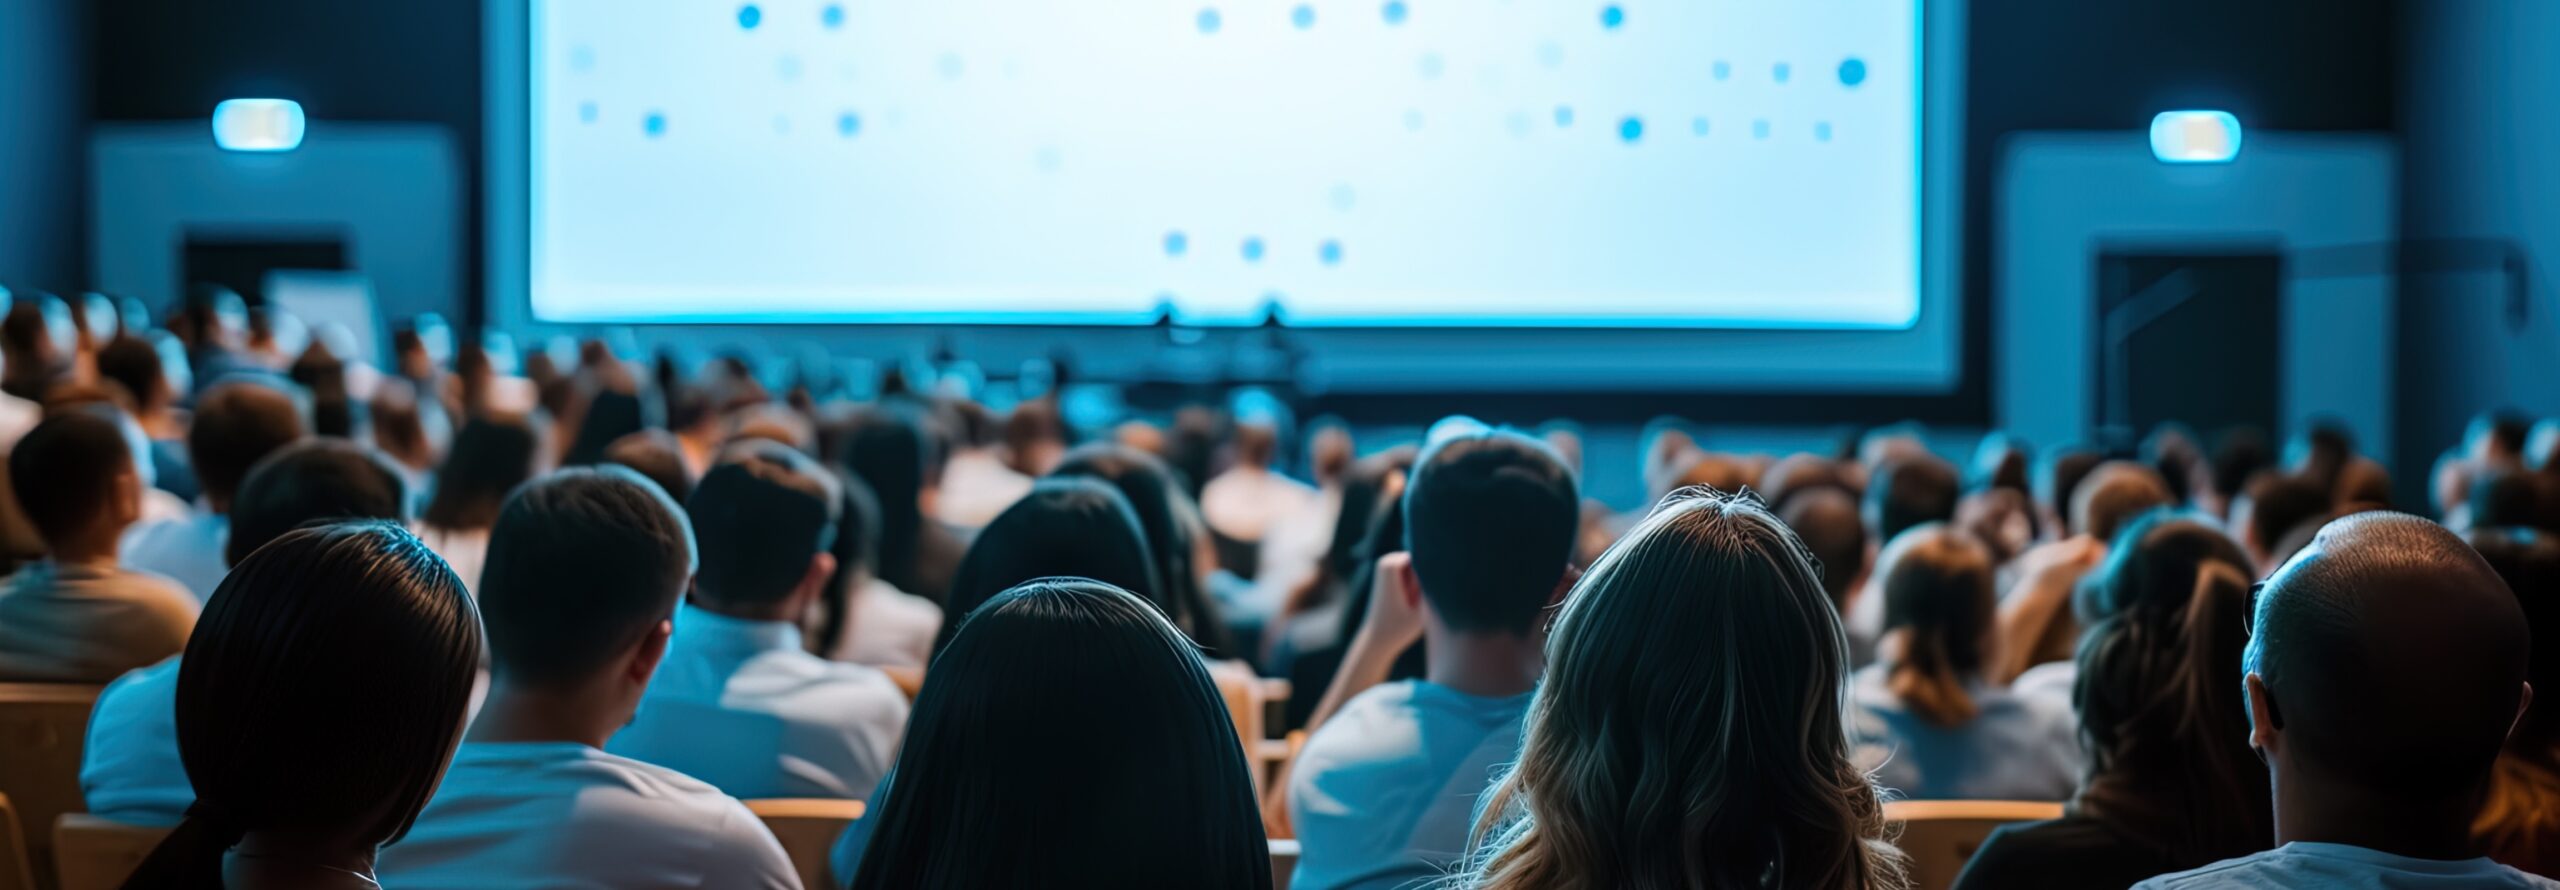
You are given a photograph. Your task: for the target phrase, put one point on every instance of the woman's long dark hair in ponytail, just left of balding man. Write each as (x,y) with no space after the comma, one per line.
(2159,694)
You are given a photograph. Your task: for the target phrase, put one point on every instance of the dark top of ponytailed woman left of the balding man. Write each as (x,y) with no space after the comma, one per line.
(2072,853)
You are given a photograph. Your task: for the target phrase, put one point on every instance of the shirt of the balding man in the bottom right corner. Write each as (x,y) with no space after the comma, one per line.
(2341,866)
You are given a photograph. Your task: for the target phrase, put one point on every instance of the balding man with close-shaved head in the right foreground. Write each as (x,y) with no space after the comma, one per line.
(2385,671)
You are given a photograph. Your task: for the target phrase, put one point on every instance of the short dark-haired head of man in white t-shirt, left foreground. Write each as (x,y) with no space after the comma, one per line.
(582,566)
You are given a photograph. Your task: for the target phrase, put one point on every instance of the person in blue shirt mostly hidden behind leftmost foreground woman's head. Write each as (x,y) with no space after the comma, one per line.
(129,769)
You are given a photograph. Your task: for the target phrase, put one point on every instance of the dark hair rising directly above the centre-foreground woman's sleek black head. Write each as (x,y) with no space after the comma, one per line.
(1064,528)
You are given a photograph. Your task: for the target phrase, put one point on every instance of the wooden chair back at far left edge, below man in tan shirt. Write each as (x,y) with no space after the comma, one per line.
(42,733)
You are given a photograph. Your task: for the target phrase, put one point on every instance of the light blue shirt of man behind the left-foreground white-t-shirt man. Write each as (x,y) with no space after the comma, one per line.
(744,707)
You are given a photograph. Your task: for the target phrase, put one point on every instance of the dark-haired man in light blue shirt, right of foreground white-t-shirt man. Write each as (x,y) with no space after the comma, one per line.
(739,699)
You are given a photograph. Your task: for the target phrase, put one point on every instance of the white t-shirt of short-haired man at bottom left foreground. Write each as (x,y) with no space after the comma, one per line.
(567,817)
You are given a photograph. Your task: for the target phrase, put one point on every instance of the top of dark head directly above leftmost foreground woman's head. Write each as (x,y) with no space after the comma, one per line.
(311,482)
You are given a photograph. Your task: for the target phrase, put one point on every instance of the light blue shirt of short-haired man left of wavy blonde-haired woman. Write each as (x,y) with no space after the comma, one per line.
(1386,792)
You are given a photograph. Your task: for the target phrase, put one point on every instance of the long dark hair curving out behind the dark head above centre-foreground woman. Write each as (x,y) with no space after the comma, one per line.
(1174,533)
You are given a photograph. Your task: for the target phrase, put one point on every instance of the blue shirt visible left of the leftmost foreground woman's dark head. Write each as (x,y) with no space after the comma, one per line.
(129,769)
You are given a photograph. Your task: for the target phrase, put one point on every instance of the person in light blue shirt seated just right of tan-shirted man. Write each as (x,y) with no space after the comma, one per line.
(234,428)
